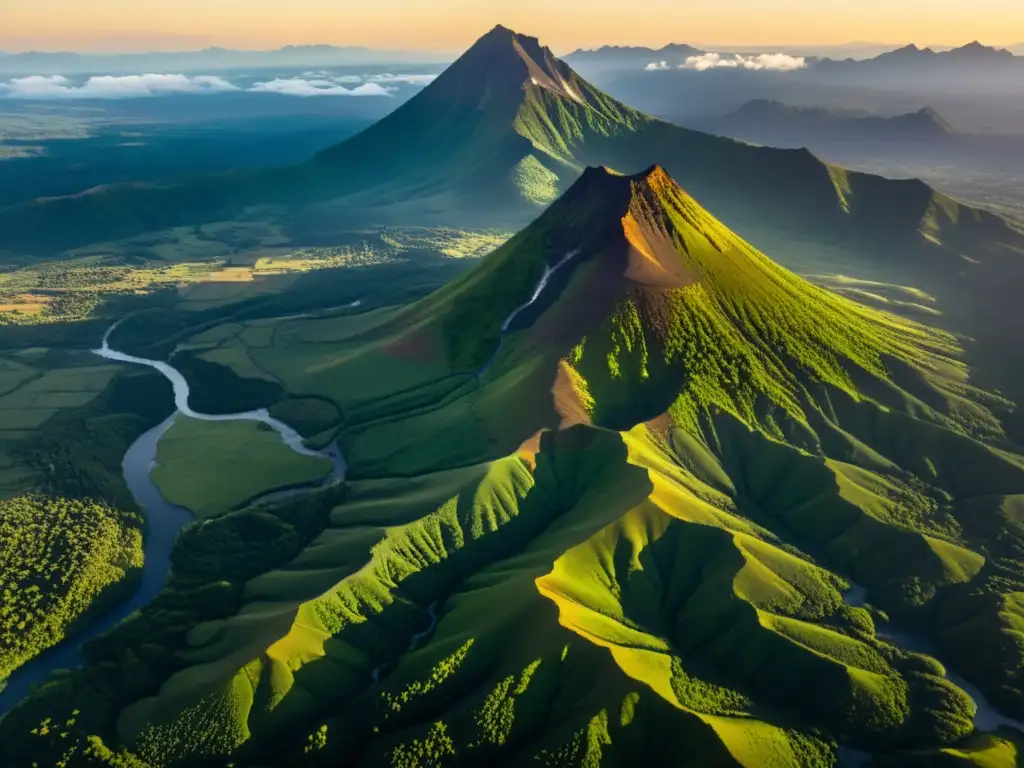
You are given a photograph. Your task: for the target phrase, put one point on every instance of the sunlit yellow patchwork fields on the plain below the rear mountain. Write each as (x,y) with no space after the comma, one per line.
(210,268)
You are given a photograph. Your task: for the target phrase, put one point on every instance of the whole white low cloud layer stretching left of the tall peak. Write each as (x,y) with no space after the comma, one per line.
(318,83)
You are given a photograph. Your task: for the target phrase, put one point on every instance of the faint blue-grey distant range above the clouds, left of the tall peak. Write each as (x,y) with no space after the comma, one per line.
(64,63)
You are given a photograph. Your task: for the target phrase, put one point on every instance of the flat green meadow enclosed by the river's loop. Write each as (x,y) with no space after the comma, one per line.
(211,467)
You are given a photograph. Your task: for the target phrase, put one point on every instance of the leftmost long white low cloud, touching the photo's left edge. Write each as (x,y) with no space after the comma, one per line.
(108,87)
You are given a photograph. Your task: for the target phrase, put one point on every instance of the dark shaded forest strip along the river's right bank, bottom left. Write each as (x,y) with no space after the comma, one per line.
(71,718)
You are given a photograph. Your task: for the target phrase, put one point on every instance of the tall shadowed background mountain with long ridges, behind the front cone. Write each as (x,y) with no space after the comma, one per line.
(496,138)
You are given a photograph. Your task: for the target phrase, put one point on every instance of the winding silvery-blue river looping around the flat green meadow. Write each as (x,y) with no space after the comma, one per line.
(164,521)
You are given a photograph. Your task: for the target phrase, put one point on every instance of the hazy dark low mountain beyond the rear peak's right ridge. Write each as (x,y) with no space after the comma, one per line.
(776,123)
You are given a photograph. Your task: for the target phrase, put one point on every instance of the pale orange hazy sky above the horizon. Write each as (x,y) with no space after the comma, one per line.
(451,25)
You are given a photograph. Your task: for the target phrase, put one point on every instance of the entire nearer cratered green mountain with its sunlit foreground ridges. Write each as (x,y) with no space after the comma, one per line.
(617,533)
